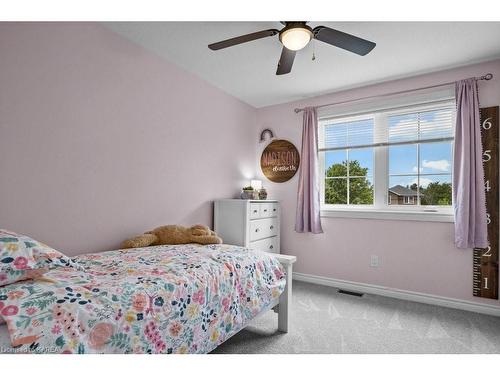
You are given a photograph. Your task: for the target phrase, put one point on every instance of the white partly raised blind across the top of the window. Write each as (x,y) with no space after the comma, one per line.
(402,127)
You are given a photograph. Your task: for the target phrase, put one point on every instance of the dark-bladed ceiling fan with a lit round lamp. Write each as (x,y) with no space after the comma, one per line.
(295,36)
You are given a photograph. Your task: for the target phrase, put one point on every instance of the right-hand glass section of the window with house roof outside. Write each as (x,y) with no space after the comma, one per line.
(419,160)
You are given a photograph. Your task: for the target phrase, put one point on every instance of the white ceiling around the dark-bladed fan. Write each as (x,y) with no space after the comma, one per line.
(247,71)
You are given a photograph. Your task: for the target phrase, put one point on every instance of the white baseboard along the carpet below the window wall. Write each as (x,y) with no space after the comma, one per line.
(407,295)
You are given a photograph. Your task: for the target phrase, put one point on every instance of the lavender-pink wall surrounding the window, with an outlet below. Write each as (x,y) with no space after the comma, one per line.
(415,256)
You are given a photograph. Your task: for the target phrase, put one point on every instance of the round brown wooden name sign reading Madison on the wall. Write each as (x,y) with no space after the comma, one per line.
(280,161)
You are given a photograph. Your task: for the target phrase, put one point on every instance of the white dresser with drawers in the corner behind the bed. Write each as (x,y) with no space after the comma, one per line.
(250,223)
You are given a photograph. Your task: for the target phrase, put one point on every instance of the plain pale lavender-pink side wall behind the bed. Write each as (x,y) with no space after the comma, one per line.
(100,139)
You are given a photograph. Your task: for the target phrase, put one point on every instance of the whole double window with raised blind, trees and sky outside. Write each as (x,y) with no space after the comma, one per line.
(389,160)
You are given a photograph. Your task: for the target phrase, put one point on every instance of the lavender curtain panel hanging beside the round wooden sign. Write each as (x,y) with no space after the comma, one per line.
(308,212)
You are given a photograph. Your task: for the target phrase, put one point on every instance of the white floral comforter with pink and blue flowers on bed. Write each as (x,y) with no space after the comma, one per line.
(162,299)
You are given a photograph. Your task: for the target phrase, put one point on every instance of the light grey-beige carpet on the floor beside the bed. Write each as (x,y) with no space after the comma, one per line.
(324,321)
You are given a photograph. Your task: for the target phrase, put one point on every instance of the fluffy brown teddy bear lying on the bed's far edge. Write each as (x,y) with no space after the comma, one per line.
(174,235)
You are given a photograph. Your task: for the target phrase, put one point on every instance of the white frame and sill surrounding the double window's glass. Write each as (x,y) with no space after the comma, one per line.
(380,175)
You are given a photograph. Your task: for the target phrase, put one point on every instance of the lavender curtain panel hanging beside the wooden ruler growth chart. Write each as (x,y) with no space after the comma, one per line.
(468,173)
